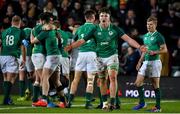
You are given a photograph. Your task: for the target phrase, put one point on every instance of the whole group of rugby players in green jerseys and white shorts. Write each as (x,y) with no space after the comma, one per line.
(43,52)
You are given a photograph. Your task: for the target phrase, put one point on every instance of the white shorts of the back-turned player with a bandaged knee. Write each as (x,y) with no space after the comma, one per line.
(86,61)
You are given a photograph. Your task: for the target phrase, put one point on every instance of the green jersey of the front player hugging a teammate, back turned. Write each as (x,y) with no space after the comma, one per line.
(51,42)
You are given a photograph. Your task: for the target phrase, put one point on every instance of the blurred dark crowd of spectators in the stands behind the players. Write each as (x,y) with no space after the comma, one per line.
(130,15)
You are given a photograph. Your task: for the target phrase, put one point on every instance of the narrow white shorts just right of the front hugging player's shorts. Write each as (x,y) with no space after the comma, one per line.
(65,65)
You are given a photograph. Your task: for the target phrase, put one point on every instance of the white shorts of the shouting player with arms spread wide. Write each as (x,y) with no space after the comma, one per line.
(111,62)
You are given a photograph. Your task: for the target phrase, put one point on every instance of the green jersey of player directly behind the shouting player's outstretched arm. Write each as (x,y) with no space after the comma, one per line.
(82,31)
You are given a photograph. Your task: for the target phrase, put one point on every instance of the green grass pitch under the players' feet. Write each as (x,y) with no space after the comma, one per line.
(168,106)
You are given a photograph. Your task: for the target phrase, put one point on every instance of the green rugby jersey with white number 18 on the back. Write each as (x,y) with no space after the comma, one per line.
(11,41)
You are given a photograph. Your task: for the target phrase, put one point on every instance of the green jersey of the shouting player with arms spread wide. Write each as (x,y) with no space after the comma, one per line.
(107,40)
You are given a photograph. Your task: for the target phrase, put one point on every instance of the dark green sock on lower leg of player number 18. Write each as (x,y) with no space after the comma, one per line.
(7,89)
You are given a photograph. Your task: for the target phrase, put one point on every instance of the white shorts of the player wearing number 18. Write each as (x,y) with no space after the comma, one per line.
(9,64)
